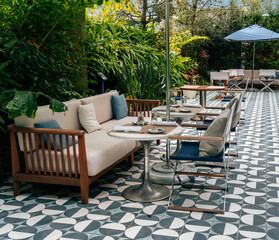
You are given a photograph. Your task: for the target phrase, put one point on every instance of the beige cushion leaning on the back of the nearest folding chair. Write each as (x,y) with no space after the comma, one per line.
(216,129)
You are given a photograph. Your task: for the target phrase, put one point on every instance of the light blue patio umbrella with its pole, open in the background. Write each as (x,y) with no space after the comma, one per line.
(254,33)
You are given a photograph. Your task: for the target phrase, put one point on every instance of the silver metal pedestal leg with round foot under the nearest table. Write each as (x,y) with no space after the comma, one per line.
(146,192)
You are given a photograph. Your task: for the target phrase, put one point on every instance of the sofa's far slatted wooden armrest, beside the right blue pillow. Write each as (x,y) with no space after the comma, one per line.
(136,106)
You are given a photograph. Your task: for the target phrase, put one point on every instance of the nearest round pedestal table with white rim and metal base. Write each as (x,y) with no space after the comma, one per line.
(146,191)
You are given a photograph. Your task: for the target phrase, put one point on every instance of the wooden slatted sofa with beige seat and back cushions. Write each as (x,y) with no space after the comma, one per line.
(90,156)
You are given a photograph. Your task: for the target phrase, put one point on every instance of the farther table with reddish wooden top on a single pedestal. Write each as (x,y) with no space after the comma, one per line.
(202,89)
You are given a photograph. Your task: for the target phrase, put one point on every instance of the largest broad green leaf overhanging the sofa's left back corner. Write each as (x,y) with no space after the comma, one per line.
(23,103)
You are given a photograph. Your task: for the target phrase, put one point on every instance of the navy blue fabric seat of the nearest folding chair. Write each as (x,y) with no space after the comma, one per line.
(190,151)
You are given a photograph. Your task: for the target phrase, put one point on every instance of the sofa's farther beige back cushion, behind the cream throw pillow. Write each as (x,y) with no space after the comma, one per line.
(102,105)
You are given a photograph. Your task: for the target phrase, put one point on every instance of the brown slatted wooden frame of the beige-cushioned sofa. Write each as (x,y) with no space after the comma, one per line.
(72,177)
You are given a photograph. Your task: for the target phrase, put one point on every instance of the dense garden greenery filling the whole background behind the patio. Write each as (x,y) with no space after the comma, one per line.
(48,52)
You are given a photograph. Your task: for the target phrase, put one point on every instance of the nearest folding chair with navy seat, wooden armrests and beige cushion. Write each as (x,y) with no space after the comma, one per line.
(207,148)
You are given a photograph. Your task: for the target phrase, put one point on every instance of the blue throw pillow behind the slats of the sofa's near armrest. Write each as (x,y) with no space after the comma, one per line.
(54,125)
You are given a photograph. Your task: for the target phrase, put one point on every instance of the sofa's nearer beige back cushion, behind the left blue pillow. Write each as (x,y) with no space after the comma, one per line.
(67,120)
